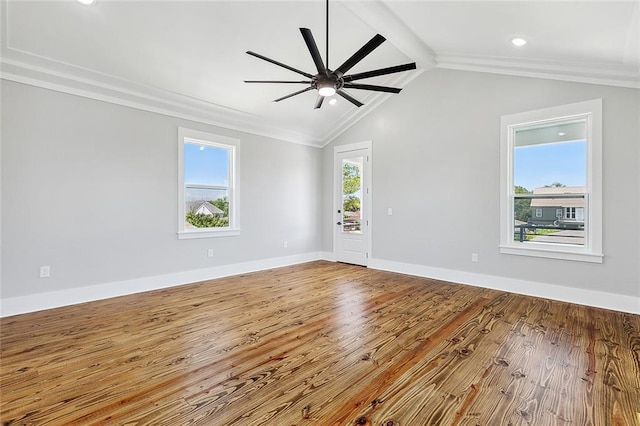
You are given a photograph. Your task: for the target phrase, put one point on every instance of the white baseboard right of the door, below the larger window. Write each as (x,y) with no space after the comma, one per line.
(600,299)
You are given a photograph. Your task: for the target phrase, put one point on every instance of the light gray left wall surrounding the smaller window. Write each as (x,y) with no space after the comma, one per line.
(90,188)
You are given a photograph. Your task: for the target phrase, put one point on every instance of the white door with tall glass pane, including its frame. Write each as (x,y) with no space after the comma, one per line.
(352,203)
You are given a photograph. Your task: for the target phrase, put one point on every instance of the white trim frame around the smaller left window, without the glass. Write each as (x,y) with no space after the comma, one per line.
(234,193)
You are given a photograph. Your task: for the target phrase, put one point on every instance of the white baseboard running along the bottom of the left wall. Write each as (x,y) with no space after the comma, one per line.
(72,296)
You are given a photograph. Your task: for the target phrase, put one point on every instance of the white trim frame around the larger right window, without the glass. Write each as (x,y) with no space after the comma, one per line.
(592,249)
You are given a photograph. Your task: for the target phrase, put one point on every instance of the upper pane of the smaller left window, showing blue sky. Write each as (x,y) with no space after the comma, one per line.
(206,165)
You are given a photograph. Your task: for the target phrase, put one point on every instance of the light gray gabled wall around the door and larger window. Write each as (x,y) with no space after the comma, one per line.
(436,152)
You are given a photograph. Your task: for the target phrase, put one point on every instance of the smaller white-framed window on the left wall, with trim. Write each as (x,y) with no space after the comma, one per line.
(207,190)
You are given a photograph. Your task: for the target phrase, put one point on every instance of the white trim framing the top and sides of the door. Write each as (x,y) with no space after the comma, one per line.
(368,196)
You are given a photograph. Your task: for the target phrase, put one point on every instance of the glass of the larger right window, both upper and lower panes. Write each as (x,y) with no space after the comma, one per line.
(549,162)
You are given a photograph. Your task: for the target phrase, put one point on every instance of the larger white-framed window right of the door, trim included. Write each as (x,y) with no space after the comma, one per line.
(551,182)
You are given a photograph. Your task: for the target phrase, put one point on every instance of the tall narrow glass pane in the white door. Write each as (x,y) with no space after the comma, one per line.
(352,194)
